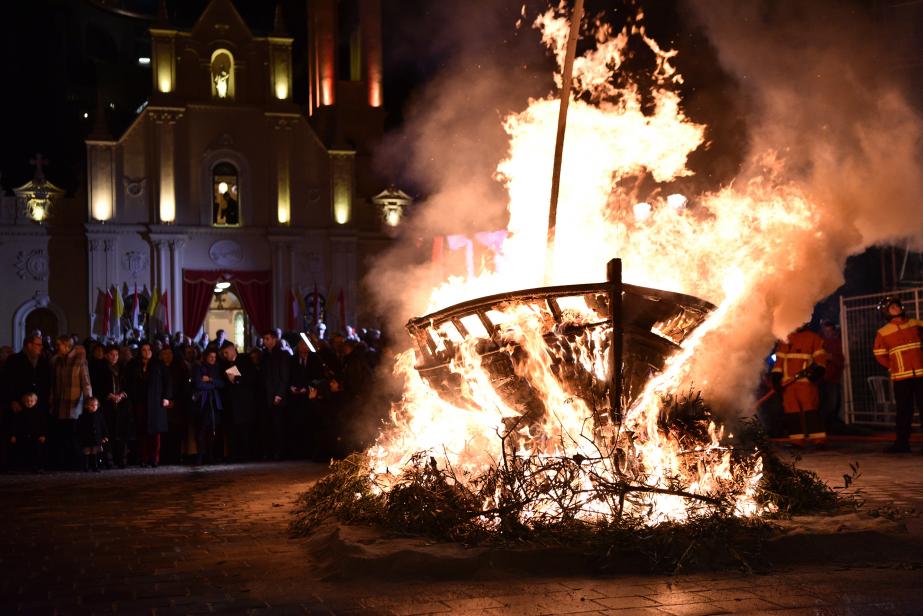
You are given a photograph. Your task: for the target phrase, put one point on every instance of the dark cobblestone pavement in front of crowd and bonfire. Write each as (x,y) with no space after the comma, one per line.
(180,540)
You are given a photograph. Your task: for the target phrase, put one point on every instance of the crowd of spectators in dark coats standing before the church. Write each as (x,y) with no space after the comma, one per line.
(95,404)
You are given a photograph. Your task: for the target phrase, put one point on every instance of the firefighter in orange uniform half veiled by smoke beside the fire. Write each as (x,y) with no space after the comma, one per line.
(800,363)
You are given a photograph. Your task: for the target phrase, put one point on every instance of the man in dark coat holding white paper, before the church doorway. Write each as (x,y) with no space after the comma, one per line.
(240,394)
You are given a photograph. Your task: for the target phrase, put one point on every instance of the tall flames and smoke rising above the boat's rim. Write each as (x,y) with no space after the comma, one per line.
(832,165)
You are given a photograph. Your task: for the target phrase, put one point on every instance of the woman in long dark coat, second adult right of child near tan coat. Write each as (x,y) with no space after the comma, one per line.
(150,392)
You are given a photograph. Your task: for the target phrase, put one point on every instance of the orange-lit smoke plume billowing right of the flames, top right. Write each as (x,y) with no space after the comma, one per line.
(825,102)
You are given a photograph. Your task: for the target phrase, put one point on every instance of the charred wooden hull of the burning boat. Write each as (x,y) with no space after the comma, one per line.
(578,331)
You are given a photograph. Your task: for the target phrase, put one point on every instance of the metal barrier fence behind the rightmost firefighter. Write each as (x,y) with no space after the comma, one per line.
(867,398)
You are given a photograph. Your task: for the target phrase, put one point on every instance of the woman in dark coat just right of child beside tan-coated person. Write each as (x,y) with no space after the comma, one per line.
(109,385)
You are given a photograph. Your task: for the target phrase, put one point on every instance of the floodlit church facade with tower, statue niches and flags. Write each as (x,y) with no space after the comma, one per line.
(223,204)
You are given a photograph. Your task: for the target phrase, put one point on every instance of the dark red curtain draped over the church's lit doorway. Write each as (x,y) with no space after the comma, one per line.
(253,288)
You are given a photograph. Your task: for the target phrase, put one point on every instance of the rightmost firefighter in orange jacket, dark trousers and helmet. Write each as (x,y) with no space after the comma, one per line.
(897,348)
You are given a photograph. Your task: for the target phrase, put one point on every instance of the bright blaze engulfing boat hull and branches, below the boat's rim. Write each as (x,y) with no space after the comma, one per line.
(507,409)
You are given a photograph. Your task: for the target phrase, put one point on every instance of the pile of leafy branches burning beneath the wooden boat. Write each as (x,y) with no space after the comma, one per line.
(538,500)
